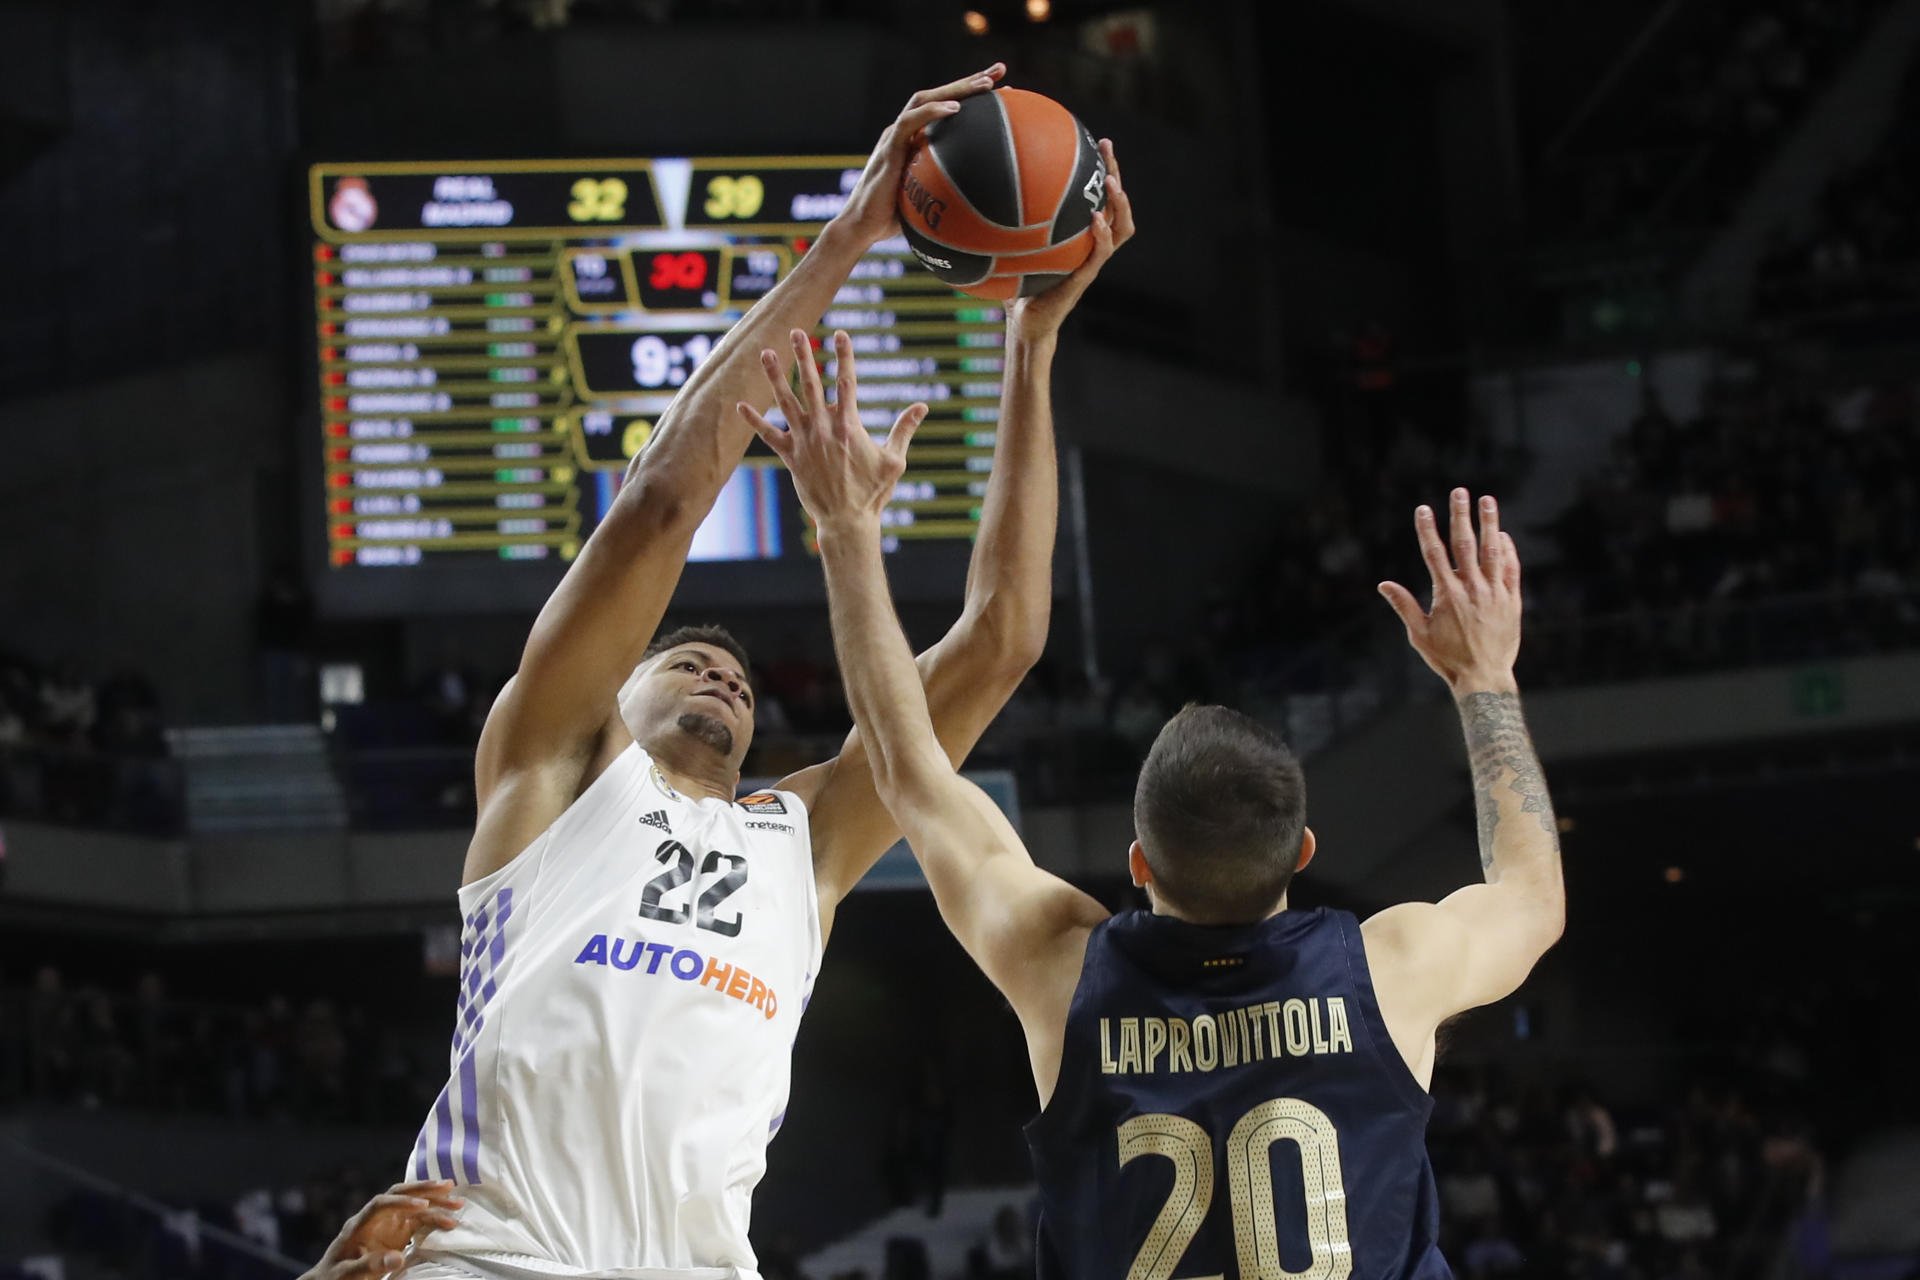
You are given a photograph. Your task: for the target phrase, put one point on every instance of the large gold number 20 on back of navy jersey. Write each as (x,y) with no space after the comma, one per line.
(1251,1189)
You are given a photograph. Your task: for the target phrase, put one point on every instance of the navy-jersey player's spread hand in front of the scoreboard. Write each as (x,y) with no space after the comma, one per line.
(838,469)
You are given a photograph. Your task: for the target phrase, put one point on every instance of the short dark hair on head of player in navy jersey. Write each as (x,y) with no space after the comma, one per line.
(1220,811)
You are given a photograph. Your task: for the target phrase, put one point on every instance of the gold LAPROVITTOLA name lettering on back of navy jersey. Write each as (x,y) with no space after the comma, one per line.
(1255,1033)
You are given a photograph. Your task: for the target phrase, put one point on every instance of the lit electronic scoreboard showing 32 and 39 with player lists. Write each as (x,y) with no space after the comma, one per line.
(498,341)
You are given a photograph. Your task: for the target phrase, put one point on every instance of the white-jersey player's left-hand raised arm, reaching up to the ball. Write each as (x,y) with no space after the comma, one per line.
(594,628)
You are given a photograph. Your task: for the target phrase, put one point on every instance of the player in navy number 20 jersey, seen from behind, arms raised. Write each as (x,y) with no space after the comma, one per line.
(1228,1087)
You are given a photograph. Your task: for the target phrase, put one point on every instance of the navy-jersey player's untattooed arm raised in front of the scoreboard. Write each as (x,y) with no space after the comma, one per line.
(1024,928)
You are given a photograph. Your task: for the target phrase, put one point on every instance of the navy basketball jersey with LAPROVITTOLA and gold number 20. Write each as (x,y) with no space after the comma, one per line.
(1232,1108)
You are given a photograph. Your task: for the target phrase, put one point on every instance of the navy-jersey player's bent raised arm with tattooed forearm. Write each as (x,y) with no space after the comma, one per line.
(1479,943)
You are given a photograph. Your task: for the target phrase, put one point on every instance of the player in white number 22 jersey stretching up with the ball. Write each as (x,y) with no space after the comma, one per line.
(640,945)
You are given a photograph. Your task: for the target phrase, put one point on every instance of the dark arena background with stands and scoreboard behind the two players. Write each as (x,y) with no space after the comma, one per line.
(1646,270)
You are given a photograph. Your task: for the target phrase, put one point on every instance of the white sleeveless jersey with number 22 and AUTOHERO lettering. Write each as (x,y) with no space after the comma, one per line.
(631,991)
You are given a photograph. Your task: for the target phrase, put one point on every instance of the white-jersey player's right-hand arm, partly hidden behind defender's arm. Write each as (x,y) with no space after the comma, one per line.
(1001,632)
